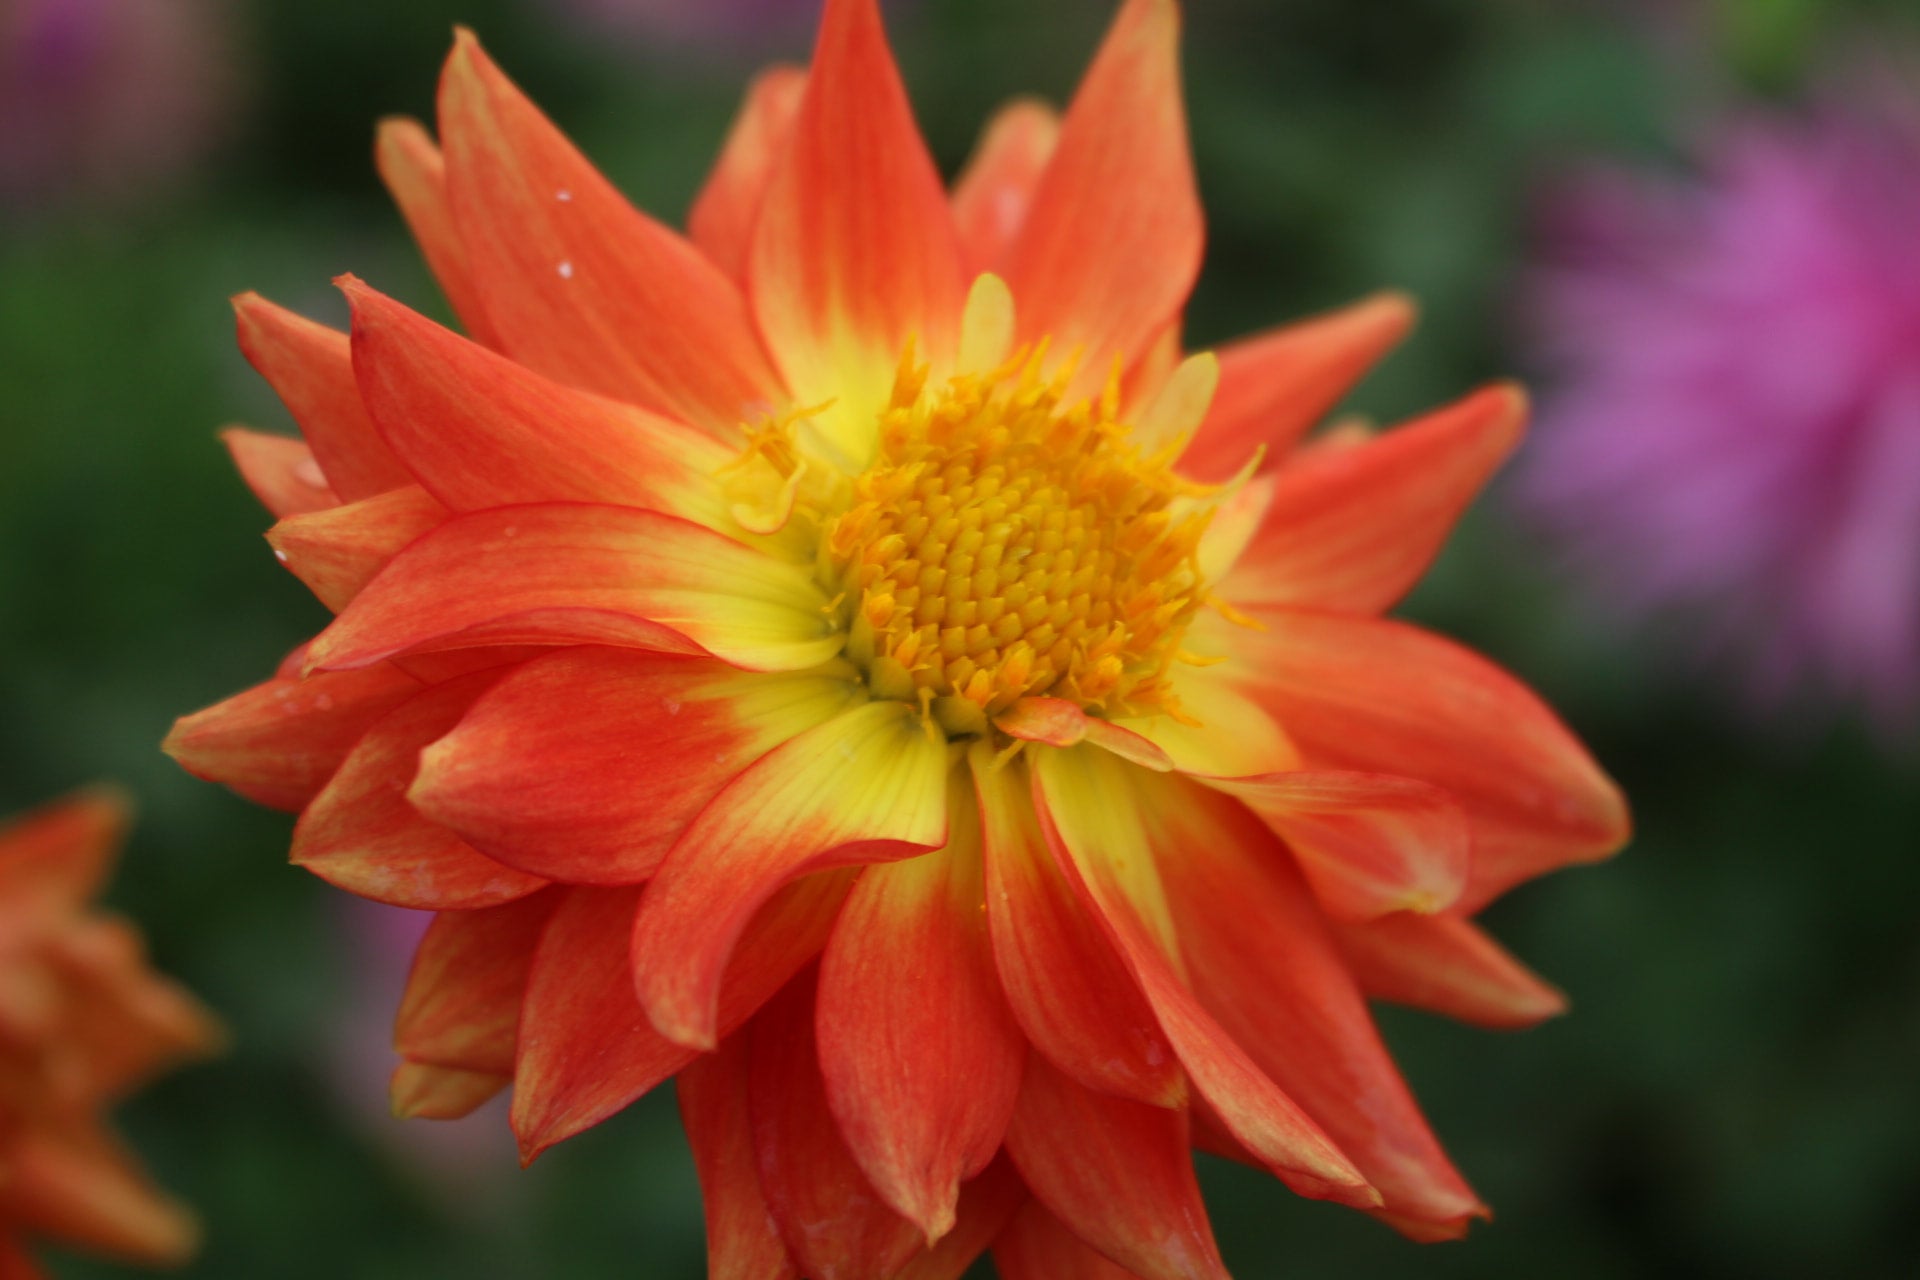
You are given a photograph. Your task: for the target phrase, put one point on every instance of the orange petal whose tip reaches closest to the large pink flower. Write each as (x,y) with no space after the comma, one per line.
(1351,531)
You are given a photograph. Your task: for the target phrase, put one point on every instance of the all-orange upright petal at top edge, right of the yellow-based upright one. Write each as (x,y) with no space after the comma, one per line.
(1113,243)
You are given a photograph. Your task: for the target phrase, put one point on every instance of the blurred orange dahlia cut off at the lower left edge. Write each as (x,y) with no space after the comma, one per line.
(84,1020)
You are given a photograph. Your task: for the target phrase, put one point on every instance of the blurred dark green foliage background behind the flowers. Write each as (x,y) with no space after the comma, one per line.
(1739,1089)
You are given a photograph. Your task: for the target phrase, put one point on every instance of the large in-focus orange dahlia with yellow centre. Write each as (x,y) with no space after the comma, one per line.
(850,661)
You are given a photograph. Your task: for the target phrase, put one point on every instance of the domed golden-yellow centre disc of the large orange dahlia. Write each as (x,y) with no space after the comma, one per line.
(1007,544)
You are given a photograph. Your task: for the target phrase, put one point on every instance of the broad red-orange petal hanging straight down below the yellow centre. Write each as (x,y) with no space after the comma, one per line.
(919,1053)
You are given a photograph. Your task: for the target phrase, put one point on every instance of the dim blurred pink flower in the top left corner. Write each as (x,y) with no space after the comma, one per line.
(108,97)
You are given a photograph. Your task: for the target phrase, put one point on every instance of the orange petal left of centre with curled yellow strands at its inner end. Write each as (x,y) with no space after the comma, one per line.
(481,431)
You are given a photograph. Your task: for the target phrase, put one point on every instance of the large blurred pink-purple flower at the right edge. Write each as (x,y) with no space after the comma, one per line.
(1735,431)
